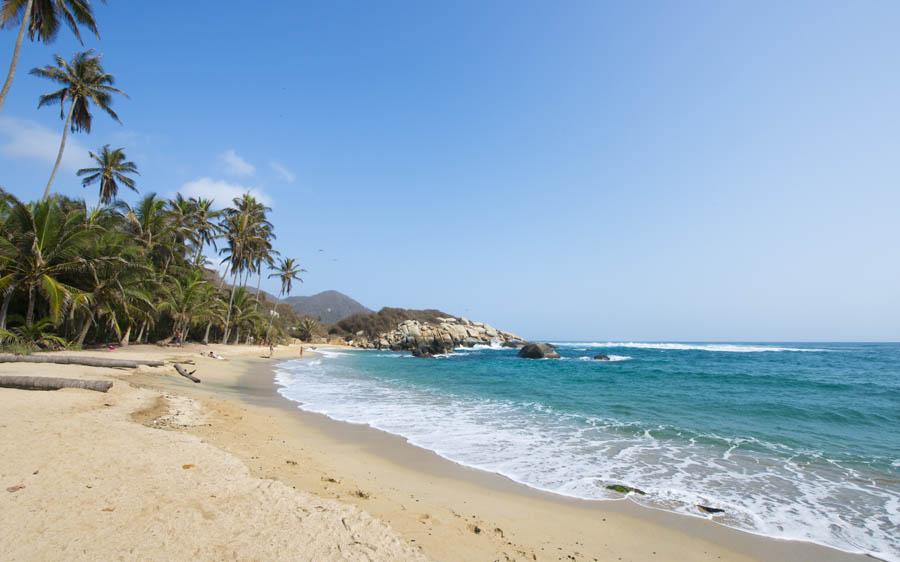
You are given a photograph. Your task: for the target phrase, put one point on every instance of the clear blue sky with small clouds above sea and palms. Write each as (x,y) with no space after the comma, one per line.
(682,171)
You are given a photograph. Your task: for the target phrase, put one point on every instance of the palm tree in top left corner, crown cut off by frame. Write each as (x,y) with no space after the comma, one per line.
(41,19)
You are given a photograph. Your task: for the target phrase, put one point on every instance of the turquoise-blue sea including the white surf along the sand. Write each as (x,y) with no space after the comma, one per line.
(798,441)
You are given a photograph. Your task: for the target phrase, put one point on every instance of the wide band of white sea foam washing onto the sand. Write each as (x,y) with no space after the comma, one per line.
(763,486)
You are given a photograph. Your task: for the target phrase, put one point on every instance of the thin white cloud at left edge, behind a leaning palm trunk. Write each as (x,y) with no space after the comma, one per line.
(26,139)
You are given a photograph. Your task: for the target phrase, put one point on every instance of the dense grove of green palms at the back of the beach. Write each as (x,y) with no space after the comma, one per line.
(70,275)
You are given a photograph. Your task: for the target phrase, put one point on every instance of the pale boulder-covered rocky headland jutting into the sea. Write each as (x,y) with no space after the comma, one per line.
(425,339)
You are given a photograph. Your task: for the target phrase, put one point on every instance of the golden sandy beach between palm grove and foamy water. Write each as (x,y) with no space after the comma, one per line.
(161,468)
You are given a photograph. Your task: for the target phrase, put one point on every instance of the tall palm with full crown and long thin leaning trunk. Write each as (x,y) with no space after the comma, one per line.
(84,81)
